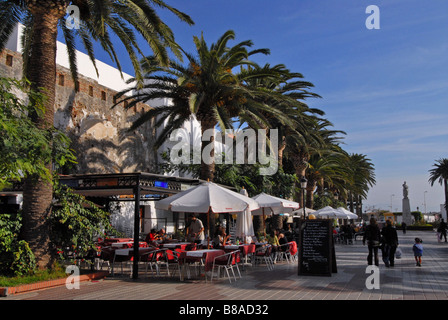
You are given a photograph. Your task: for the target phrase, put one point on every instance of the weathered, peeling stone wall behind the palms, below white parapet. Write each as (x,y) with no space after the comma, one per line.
(99,134)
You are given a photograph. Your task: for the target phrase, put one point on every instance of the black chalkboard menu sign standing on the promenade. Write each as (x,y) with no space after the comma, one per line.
(316,248)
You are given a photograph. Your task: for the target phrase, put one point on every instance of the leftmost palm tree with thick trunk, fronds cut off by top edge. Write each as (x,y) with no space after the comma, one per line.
(99,20)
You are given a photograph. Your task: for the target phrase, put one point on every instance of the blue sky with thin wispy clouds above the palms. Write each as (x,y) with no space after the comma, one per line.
(387,88)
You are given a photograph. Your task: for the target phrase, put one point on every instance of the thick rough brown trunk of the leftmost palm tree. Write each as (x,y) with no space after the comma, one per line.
(38,194)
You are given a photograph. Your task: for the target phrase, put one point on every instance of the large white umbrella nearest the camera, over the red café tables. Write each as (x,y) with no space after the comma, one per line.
(208,198)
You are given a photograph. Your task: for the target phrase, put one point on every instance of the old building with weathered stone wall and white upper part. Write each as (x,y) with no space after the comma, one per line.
(99,134)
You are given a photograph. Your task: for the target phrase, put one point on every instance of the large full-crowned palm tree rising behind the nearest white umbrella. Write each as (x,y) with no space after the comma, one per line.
(212,86)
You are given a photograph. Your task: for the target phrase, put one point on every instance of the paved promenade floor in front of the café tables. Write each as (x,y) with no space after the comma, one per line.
(405,281)
